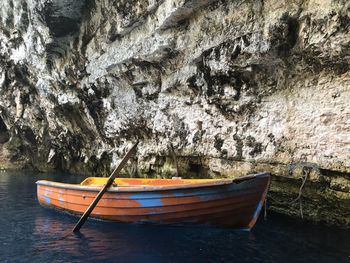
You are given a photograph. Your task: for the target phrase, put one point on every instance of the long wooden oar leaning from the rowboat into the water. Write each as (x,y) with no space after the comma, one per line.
(104,189)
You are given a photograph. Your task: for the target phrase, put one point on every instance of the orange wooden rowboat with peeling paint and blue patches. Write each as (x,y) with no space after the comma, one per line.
(224,202)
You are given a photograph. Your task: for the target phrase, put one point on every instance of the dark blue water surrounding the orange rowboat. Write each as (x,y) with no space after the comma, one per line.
(30,233)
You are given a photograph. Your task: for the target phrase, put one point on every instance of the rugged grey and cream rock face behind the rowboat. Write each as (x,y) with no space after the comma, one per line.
(211,88)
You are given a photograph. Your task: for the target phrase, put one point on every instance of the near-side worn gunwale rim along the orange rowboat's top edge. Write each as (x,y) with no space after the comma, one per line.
(150,188)
